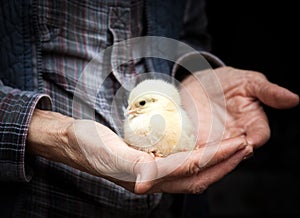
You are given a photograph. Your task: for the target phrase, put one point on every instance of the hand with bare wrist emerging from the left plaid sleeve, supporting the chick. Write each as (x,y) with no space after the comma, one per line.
(95,149)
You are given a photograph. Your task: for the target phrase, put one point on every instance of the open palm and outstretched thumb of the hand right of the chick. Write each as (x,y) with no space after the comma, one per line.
(234,105)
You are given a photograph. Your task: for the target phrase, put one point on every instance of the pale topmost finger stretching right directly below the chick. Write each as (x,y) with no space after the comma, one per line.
(190,163)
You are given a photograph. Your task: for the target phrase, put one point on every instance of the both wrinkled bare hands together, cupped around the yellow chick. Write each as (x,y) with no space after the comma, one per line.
(240,125)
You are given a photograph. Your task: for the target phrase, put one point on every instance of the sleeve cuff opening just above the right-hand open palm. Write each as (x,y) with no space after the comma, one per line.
(195,61)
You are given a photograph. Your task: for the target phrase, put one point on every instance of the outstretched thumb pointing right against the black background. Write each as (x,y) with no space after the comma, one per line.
(274,95)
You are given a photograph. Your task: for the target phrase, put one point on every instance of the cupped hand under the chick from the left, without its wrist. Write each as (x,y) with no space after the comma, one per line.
(97,150)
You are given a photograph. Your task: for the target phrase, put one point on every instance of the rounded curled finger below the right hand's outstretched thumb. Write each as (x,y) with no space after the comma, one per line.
(258,133)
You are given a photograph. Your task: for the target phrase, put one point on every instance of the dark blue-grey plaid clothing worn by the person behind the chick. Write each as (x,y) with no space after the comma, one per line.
(45,46)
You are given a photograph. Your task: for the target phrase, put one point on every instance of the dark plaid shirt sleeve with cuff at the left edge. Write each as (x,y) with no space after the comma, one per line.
(16,109)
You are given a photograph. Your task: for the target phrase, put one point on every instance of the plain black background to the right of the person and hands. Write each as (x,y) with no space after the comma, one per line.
(261,36)
